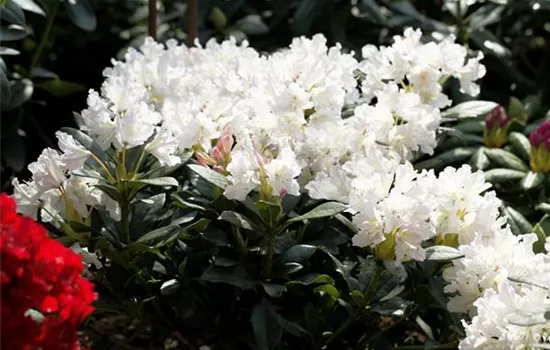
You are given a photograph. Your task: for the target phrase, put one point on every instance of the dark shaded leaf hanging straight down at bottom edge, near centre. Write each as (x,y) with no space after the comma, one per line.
(267,325)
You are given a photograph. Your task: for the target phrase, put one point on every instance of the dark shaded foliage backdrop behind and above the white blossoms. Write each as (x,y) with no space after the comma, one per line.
(72,42)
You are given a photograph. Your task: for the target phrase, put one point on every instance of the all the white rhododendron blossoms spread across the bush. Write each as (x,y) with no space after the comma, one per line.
(276,124)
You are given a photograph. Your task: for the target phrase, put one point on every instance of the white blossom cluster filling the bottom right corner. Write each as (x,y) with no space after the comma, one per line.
(505,288)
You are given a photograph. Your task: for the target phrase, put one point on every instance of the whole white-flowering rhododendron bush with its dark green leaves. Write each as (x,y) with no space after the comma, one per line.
(236,200)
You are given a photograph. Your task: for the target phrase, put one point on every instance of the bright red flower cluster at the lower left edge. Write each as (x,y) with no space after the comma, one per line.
(43,297)
